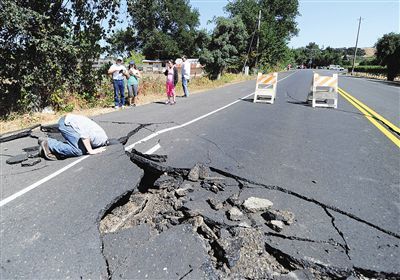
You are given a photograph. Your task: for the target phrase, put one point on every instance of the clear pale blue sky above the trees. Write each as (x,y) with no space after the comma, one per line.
(328,22)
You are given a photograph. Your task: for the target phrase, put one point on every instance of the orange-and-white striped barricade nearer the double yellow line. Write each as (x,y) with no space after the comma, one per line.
(324,91)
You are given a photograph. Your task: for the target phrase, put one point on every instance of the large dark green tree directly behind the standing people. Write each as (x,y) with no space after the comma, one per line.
(164,29)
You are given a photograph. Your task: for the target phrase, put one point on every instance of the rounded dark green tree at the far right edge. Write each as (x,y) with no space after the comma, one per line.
(388,54)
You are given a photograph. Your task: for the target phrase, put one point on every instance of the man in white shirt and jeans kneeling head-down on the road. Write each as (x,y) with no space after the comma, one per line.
(82,135)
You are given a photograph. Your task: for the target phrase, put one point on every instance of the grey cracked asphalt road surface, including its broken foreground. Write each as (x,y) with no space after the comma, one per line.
(247,191)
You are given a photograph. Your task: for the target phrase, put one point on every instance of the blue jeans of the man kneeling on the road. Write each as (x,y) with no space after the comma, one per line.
(72,148)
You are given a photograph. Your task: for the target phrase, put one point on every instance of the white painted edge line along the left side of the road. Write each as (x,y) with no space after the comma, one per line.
(51,176)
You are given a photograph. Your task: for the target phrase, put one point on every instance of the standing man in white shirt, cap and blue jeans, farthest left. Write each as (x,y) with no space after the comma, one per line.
(118,71)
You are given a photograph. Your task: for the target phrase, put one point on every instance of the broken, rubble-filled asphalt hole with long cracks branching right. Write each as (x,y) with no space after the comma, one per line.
(208,200)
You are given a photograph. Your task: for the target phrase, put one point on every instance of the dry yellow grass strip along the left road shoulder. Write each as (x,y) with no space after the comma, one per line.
(152,90)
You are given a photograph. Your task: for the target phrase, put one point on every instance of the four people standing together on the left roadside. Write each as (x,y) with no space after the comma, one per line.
(133,75)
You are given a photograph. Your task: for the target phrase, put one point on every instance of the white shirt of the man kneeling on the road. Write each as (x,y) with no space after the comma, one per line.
(87,129)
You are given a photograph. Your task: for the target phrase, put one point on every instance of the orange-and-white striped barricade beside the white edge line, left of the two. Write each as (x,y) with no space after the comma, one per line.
(266,88)
